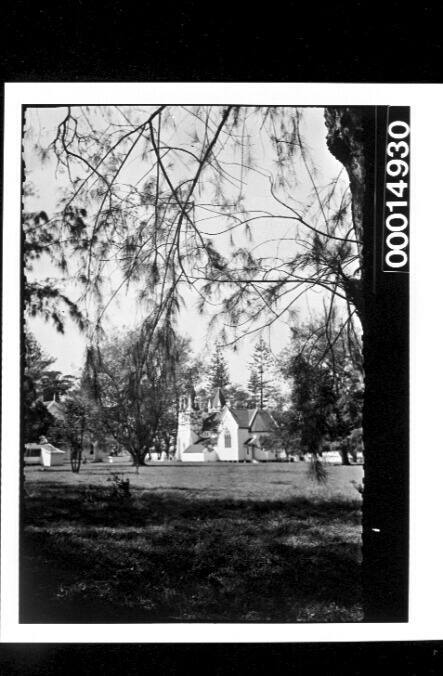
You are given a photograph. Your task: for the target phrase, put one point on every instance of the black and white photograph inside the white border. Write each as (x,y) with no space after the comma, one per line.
(214,315)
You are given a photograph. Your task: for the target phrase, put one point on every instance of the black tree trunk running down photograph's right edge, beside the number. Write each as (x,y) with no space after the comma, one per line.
(356,137)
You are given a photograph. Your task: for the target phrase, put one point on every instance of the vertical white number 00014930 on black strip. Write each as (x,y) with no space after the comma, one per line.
(396,212)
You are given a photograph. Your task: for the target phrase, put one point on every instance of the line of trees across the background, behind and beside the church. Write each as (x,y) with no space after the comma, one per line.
(128,394)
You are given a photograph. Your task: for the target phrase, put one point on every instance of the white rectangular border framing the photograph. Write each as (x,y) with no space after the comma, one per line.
(426,330)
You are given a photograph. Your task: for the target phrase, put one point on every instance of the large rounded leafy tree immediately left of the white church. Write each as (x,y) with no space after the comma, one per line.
(132,380)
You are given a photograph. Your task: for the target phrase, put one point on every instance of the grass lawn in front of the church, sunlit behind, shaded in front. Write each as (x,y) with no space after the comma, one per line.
(191,543)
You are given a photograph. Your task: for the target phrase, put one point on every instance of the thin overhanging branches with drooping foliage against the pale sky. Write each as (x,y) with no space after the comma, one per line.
(162,193)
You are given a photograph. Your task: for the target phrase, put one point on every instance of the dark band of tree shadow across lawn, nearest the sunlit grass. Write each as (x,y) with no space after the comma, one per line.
(98,505)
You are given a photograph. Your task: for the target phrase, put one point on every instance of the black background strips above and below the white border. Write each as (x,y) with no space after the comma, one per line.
(106,42)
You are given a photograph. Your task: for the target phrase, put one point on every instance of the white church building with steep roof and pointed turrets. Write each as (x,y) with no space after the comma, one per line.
(223,433)
